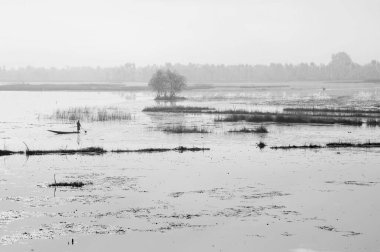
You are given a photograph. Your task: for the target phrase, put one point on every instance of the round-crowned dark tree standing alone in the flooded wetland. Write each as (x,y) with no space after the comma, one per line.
(167,84)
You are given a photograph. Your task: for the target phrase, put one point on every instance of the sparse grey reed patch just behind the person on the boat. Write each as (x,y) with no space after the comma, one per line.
(91,114)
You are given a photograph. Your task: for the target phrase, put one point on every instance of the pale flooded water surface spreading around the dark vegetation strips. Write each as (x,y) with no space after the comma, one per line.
(234,197)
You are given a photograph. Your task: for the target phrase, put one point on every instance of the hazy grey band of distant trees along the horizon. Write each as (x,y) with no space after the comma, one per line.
(341,67)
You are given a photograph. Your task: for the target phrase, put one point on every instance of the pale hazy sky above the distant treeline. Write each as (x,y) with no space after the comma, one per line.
(113,32)
